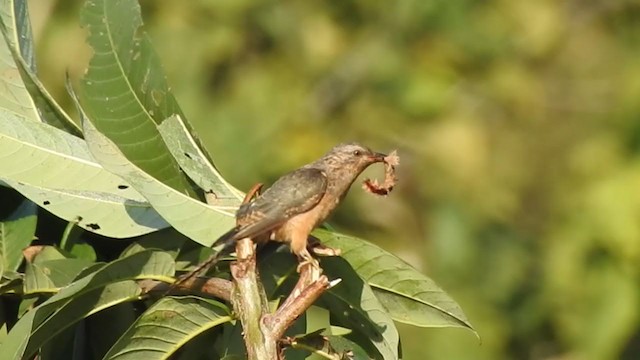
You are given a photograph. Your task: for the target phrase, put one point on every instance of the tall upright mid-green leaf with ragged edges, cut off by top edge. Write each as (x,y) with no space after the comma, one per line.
(124,91)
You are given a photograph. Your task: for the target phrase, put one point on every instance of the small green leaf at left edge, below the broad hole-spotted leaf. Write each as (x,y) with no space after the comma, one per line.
(16,233)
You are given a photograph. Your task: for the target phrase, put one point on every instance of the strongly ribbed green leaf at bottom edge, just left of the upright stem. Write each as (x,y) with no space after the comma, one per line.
(166,326)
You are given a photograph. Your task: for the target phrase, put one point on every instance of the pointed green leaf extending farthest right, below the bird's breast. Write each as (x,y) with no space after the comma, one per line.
(408,295)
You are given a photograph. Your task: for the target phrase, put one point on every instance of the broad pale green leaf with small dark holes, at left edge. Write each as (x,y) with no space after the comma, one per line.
(56,171)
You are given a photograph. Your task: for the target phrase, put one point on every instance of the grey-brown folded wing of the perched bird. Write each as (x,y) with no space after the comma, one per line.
(292,194)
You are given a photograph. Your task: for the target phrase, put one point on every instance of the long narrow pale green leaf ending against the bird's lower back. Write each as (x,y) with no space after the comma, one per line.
(196,220)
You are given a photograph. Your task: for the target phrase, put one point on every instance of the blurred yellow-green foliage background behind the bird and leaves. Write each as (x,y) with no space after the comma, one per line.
(517,122)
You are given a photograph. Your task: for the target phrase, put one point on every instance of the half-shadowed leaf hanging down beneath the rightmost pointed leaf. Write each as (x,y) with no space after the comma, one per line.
(353,304)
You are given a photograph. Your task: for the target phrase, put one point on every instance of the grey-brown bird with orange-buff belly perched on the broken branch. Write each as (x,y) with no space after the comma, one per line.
(296,204)
